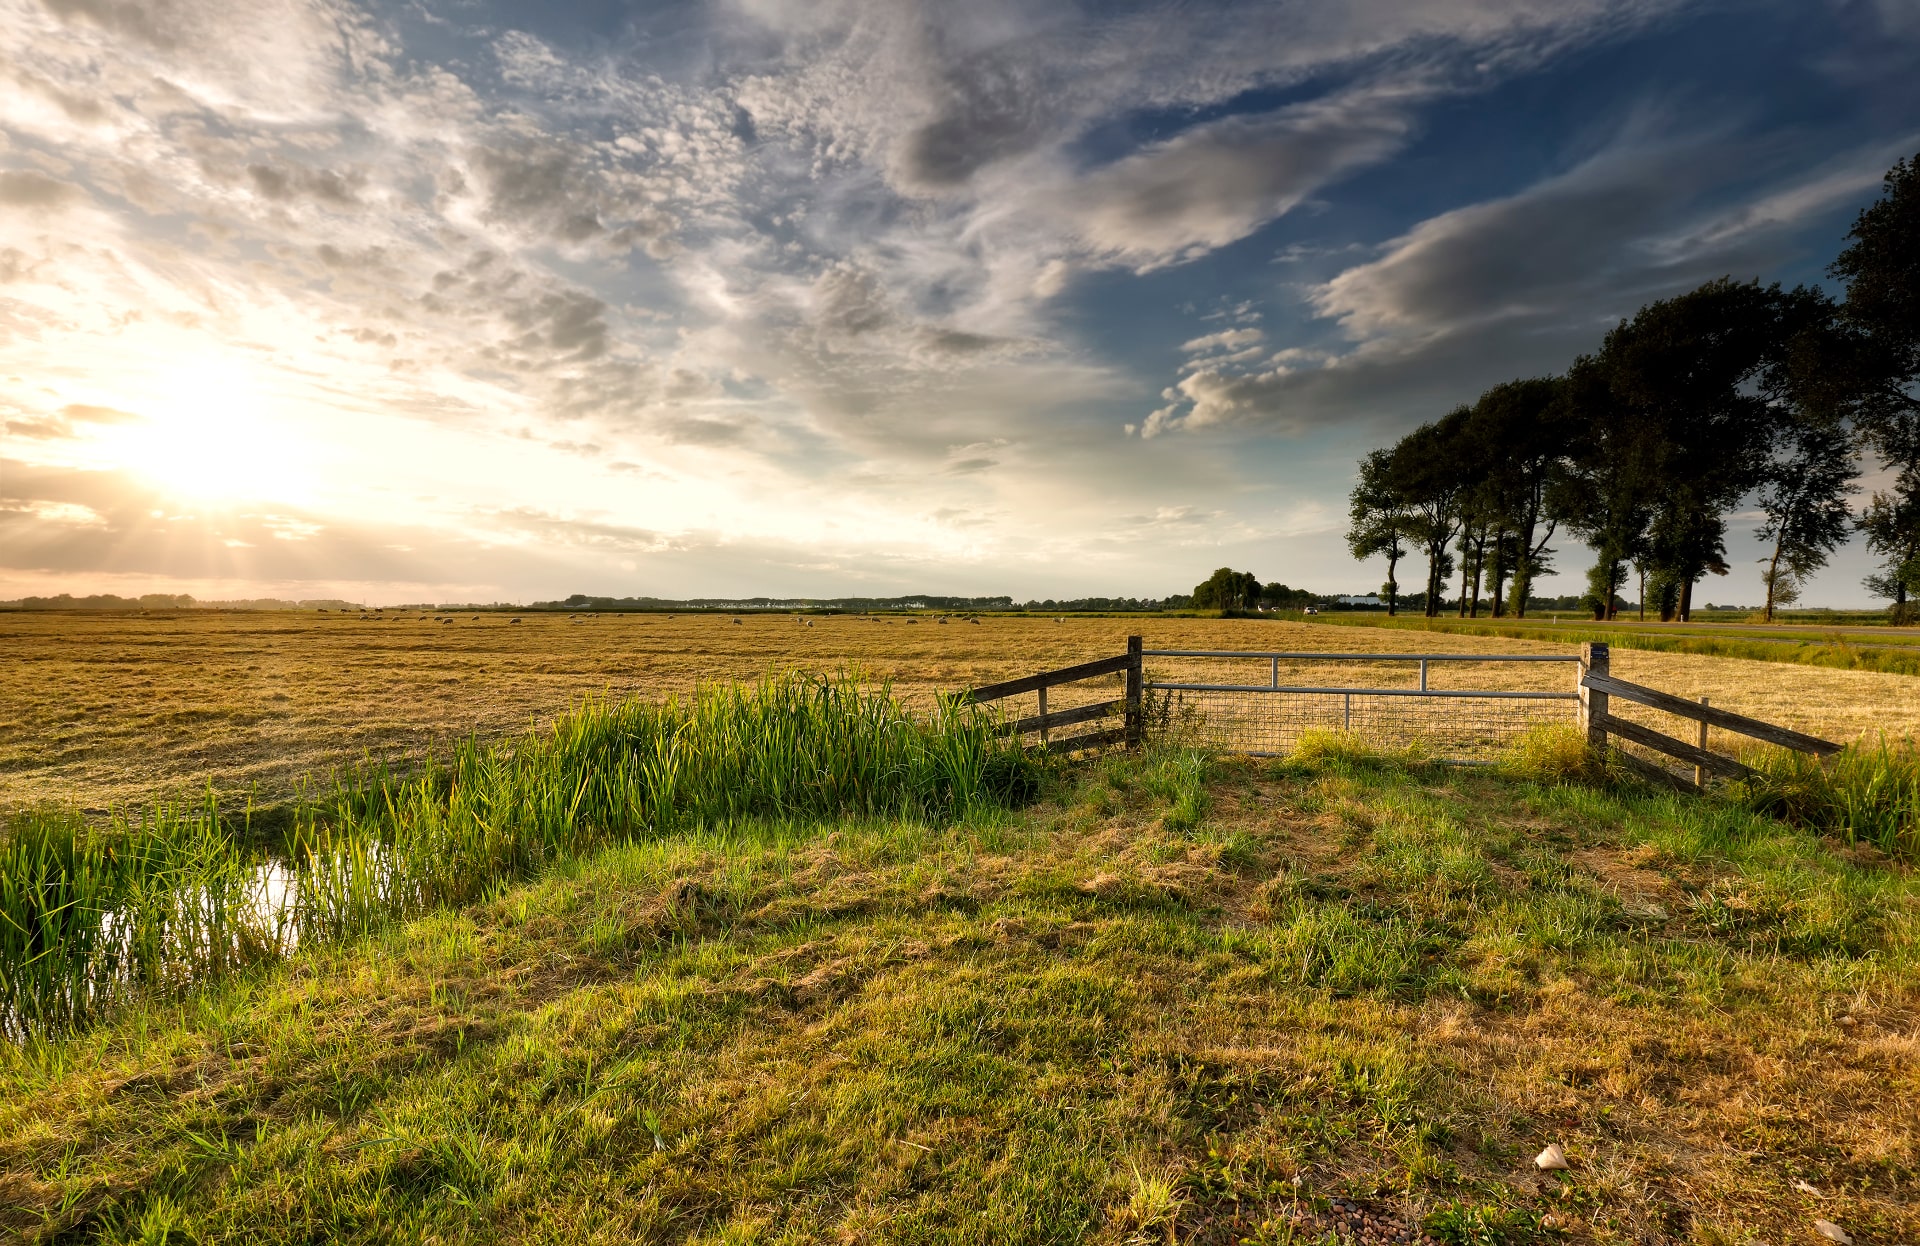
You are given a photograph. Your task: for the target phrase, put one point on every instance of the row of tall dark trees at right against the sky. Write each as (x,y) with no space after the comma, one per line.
(1689,410)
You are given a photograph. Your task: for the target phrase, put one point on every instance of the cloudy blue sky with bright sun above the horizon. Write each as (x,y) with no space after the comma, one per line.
(483,300)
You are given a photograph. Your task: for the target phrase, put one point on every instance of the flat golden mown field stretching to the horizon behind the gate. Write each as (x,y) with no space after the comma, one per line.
(122,709)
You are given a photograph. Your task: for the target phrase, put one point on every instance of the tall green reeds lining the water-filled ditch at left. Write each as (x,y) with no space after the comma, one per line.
(95,915)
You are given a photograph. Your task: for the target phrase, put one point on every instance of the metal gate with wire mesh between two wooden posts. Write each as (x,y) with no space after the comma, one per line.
(1456,707)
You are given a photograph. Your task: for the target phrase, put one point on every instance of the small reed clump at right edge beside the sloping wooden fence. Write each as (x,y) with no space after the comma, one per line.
(1867,794)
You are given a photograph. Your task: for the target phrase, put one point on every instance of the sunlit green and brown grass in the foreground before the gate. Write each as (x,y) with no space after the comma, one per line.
(1174,1001)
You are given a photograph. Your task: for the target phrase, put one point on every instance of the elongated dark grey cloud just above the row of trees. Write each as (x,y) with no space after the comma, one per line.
(1516,285)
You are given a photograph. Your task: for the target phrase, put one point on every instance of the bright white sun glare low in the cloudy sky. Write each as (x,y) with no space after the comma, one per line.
(212,435)
